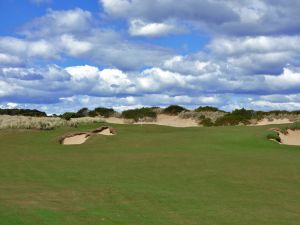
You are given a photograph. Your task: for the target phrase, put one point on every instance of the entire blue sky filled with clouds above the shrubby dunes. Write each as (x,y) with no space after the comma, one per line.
(62,55)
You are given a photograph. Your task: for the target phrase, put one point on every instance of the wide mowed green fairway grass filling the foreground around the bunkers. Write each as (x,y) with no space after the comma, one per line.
(149,175)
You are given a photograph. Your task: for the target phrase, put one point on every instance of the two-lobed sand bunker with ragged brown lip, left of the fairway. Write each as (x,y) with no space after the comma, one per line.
(80,138)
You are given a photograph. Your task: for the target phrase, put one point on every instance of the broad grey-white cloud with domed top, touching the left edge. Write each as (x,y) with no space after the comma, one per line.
(72,33)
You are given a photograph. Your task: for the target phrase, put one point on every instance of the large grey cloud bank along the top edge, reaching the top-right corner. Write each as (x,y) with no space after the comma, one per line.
(240,17)
